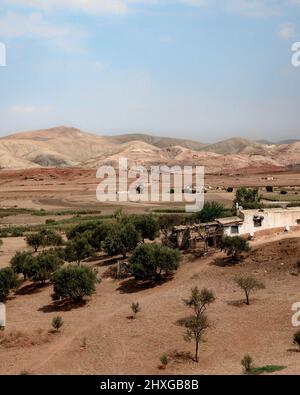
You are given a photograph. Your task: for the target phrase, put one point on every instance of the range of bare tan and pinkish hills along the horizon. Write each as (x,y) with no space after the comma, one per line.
(70,147)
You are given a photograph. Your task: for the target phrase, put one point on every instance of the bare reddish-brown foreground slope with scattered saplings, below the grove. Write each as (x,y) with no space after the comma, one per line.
(116,344)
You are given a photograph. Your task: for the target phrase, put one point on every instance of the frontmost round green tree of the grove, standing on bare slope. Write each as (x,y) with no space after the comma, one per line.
(73,283)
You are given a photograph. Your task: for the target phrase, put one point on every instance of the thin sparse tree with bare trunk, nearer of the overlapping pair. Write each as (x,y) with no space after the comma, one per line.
(195,328)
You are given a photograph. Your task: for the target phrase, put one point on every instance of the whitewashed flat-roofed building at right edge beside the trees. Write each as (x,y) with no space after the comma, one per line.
(253,221)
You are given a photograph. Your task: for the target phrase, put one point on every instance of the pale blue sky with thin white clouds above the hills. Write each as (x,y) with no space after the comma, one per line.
(199,69)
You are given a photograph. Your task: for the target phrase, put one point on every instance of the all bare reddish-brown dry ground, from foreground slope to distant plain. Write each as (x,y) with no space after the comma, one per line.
(99,337)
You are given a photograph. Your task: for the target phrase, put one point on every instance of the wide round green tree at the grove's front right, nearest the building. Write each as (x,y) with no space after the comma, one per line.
(152,261)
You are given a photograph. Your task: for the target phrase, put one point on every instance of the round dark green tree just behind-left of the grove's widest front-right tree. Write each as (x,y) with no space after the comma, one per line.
(121,240)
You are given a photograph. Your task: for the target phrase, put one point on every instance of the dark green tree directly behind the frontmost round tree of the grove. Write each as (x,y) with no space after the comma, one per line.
(78,249)
